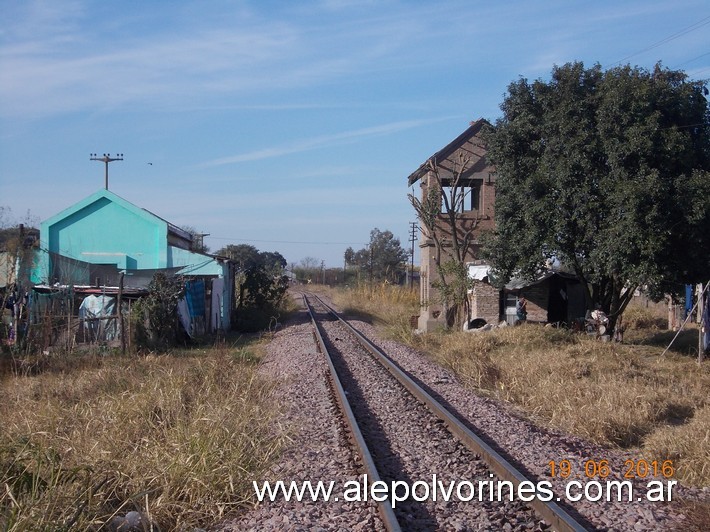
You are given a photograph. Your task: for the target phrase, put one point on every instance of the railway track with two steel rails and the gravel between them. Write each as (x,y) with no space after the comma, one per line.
(404,439)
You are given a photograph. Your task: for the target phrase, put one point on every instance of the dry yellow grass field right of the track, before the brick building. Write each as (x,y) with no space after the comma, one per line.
(622,395)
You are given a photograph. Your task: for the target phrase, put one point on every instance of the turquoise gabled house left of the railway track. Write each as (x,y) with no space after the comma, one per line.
(103,236)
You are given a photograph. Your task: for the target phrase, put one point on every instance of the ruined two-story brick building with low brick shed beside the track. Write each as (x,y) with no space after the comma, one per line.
(554,297)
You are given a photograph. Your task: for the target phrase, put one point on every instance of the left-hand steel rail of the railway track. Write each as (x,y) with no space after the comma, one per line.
(385,506)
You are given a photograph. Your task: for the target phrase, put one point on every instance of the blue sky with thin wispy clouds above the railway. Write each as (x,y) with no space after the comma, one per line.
(289,125)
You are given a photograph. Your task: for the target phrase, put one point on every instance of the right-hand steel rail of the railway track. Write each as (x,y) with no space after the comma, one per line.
(552,512)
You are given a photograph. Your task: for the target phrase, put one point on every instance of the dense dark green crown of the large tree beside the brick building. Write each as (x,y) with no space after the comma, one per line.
(606,172)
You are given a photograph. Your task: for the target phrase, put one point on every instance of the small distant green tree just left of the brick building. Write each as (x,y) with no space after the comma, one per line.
(383,259)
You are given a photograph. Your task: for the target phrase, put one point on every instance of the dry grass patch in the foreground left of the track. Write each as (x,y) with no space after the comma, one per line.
(178,437)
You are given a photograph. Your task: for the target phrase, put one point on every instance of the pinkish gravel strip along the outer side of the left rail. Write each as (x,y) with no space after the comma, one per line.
(319,449)
